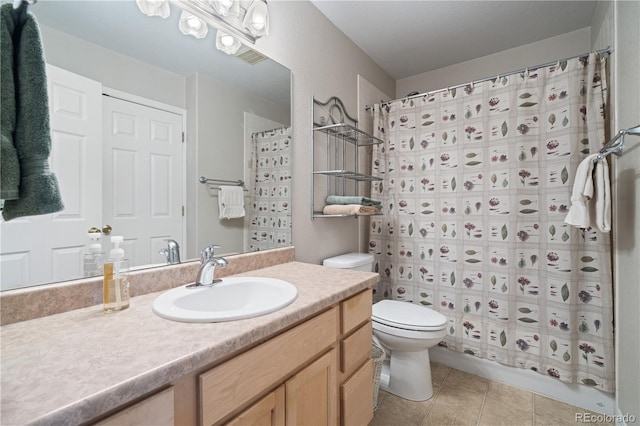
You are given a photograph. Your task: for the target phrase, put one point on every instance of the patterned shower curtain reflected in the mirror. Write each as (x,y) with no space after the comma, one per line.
(270,206)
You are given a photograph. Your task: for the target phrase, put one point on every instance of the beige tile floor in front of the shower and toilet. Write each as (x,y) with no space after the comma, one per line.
(461,398)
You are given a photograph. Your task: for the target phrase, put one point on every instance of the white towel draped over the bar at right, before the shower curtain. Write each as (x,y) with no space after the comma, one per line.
(591,196)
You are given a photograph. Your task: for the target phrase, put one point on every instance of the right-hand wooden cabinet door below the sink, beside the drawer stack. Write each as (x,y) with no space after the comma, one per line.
(311,395)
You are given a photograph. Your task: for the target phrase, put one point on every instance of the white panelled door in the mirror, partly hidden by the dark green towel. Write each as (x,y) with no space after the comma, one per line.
(47,248)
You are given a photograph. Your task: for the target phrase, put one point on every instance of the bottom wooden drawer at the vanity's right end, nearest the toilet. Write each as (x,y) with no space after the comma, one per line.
(356,397)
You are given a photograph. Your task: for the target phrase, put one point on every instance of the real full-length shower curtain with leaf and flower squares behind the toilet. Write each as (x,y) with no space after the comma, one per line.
(476,184)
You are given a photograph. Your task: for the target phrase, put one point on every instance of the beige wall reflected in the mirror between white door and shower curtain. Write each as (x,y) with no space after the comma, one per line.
(216,135)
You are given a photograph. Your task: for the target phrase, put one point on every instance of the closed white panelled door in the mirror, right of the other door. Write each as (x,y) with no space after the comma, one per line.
(143,178)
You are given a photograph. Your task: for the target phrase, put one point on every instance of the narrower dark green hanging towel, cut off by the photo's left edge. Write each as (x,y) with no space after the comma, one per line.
(9,164)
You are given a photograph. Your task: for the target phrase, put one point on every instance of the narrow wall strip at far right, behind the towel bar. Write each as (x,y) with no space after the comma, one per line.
(626,199)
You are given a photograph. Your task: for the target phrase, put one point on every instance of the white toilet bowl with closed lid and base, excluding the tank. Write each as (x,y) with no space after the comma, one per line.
(406,331)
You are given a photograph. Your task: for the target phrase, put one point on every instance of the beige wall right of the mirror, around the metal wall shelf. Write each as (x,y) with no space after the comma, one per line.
(324,63)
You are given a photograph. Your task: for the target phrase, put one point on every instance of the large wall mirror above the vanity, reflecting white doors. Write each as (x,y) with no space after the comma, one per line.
(123,89)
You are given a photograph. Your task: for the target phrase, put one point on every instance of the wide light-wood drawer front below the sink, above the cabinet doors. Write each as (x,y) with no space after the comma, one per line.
(232,384)
